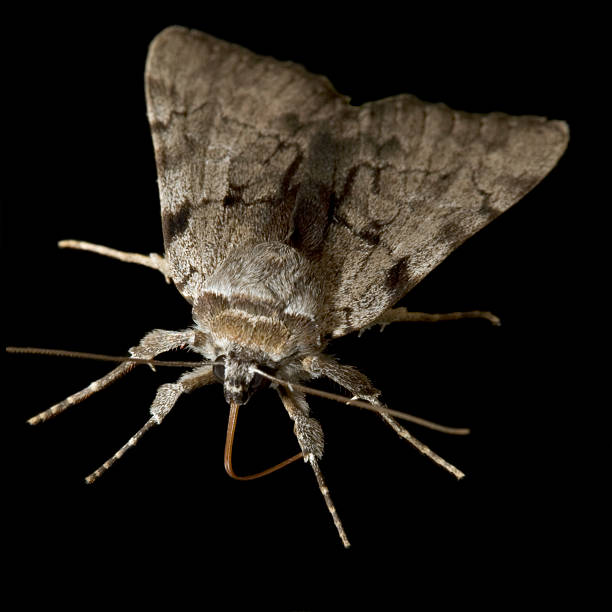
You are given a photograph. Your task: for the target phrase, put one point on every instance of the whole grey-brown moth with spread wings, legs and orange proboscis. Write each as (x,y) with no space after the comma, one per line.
(291,218)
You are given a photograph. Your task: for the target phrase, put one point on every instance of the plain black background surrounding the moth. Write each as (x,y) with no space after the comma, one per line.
(167,520)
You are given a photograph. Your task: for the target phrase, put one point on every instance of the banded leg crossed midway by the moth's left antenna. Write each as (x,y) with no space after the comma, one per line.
(155,342)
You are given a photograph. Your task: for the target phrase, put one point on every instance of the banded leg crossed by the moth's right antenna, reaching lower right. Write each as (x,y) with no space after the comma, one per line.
(360,386)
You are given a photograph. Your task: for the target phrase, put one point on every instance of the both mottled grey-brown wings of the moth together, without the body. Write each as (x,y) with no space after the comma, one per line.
(250,149)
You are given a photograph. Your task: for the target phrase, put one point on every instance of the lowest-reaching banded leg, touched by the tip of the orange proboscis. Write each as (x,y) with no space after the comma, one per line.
(310,438)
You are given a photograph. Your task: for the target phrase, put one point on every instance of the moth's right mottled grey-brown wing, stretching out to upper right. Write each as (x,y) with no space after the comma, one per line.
(413,181)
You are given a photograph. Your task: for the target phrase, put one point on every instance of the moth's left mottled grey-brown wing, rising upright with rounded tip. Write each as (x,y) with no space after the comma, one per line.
(228,135)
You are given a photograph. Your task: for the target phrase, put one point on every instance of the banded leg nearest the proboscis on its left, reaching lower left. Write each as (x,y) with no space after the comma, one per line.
(162,404)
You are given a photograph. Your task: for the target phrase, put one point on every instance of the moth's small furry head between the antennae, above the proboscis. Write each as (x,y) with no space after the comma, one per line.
(239,377)
